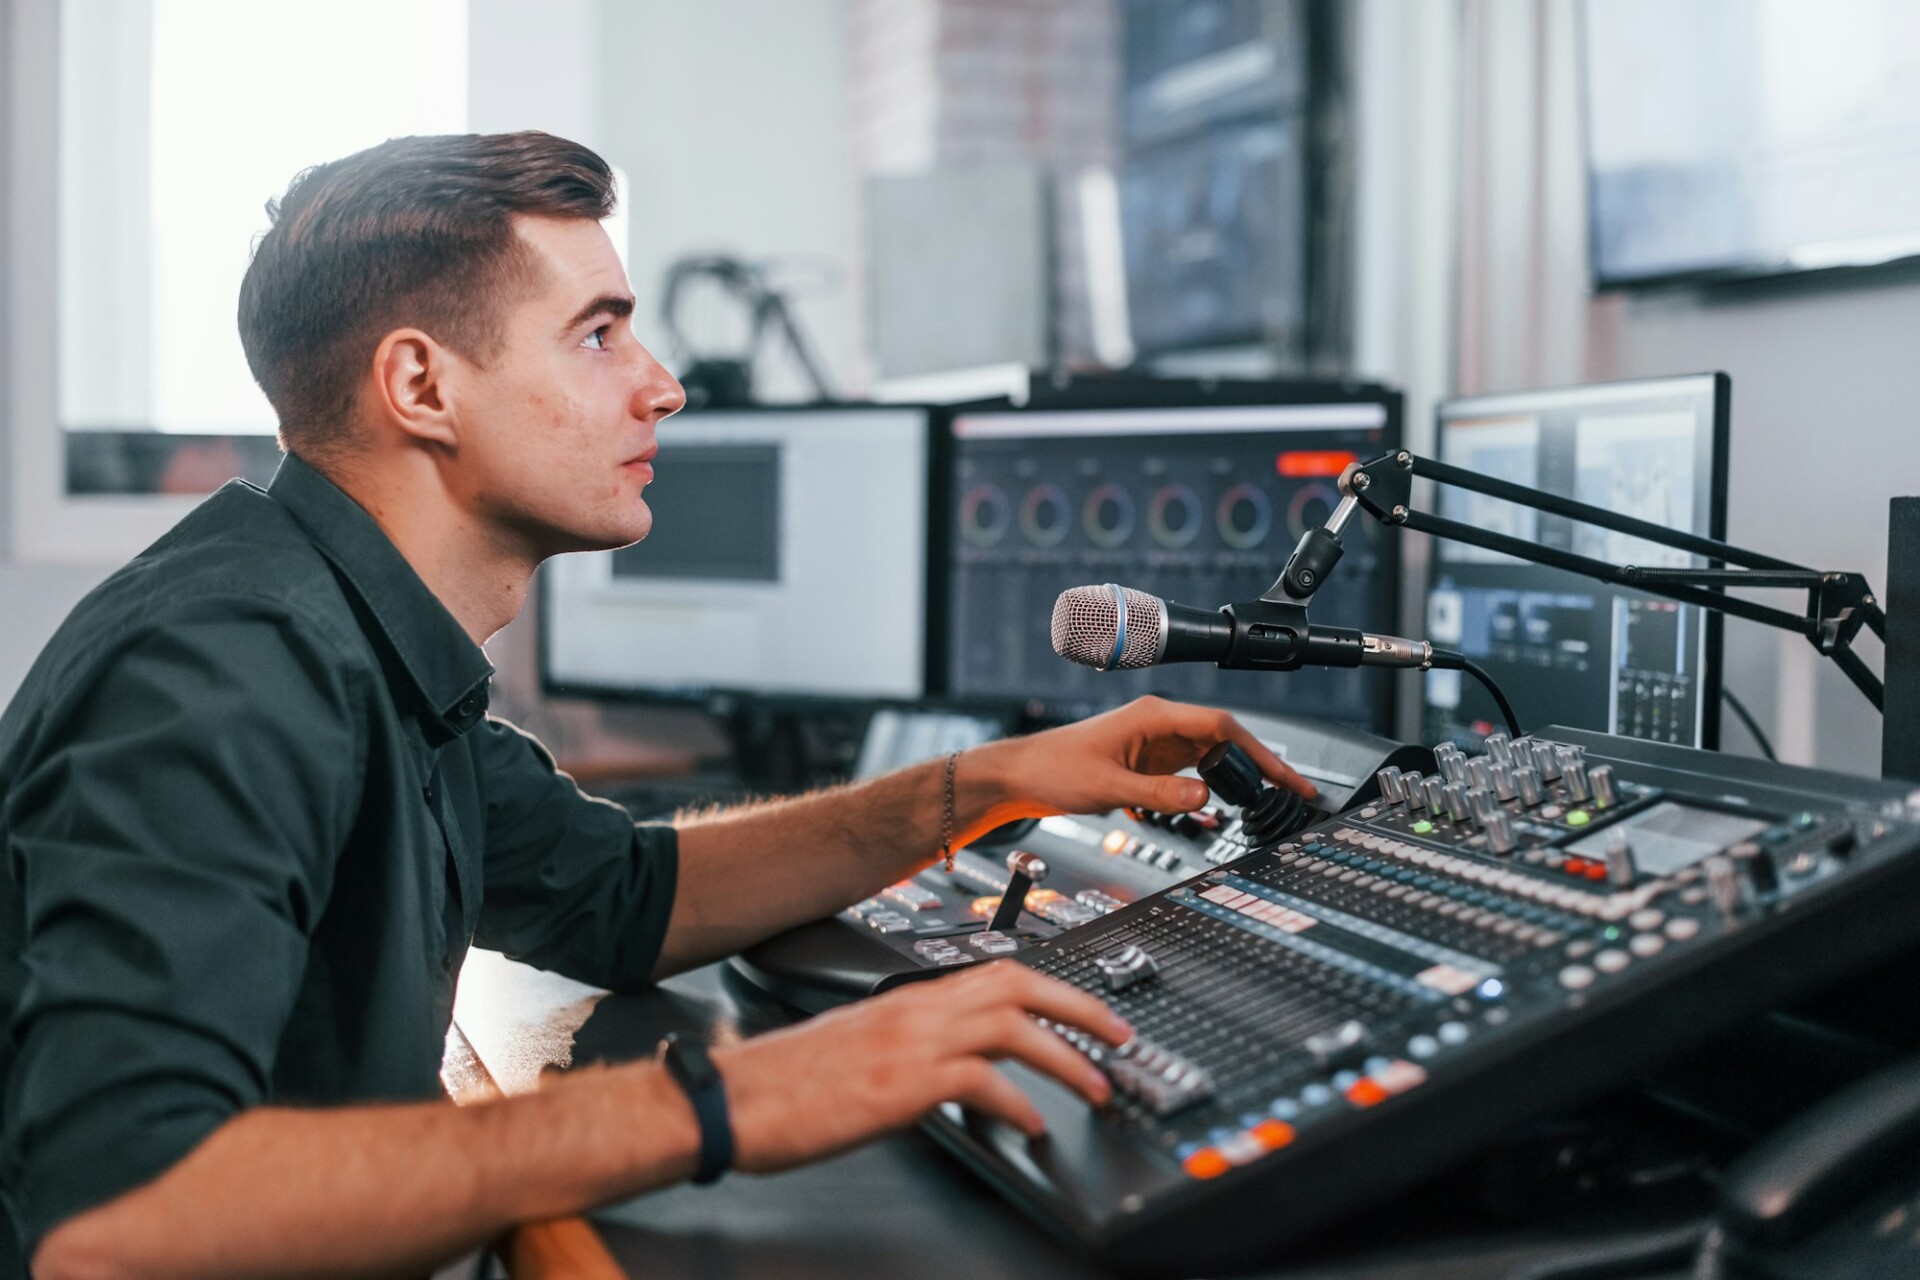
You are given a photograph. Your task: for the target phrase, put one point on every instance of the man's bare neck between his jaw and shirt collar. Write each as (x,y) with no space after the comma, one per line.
(473,569)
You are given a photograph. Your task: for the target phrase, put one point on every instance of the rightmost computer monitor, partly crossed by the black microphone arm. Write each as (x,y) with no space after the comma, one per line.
(1570,650)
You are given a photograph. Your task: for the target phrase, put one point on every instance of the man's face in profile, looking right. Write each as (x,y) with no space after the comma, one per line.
(558,431)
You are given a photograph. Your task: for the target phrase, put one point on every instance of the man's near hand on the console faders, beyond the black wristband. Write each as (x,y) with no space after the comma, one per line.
(855,1074)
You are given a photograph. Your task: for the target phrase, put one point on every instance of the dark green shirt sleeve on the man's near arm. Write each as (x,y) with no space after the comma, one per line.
(174,838)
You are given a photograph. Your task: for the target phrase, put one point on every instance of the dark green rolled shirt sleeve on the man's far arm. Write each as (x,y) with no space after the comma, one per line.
(573,884)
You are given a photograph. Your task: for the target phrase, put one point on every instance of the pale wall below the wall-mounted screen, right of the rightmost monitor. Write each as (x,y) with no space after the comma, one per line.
(1825,431)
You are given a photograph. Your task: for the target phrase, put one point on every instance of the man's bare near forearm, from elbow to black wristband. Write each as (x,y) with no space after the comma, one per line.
(385,1191)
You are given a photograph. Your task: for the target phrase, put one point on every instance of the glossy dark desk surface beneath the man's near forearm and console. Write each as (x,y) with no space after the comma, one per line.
(898,1208)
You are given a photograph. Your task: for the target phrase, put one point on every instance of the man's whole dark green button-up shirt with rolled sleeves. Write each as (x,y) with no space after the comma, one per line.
(254,813)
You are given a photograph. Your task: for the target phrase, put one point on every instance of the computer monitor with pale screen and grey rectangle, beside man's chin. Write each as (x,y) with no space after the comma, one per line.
(788,561)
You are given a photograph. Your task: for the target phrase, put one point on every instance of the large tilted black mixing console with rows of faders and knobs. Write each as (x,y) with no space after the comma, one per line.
(1349,1010)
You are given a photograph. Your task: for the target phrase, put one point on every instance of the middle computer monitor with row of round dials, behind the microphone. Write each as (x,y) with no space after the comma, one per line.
(1197,504)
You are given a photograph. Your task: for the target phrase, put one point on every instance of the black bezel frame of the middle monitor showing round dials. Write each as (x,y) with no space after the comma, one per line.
(1128,392)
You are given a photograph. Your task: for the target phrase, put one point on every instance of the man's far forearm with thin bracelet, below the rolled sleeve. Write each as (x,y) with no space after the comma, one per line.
(750,872)
